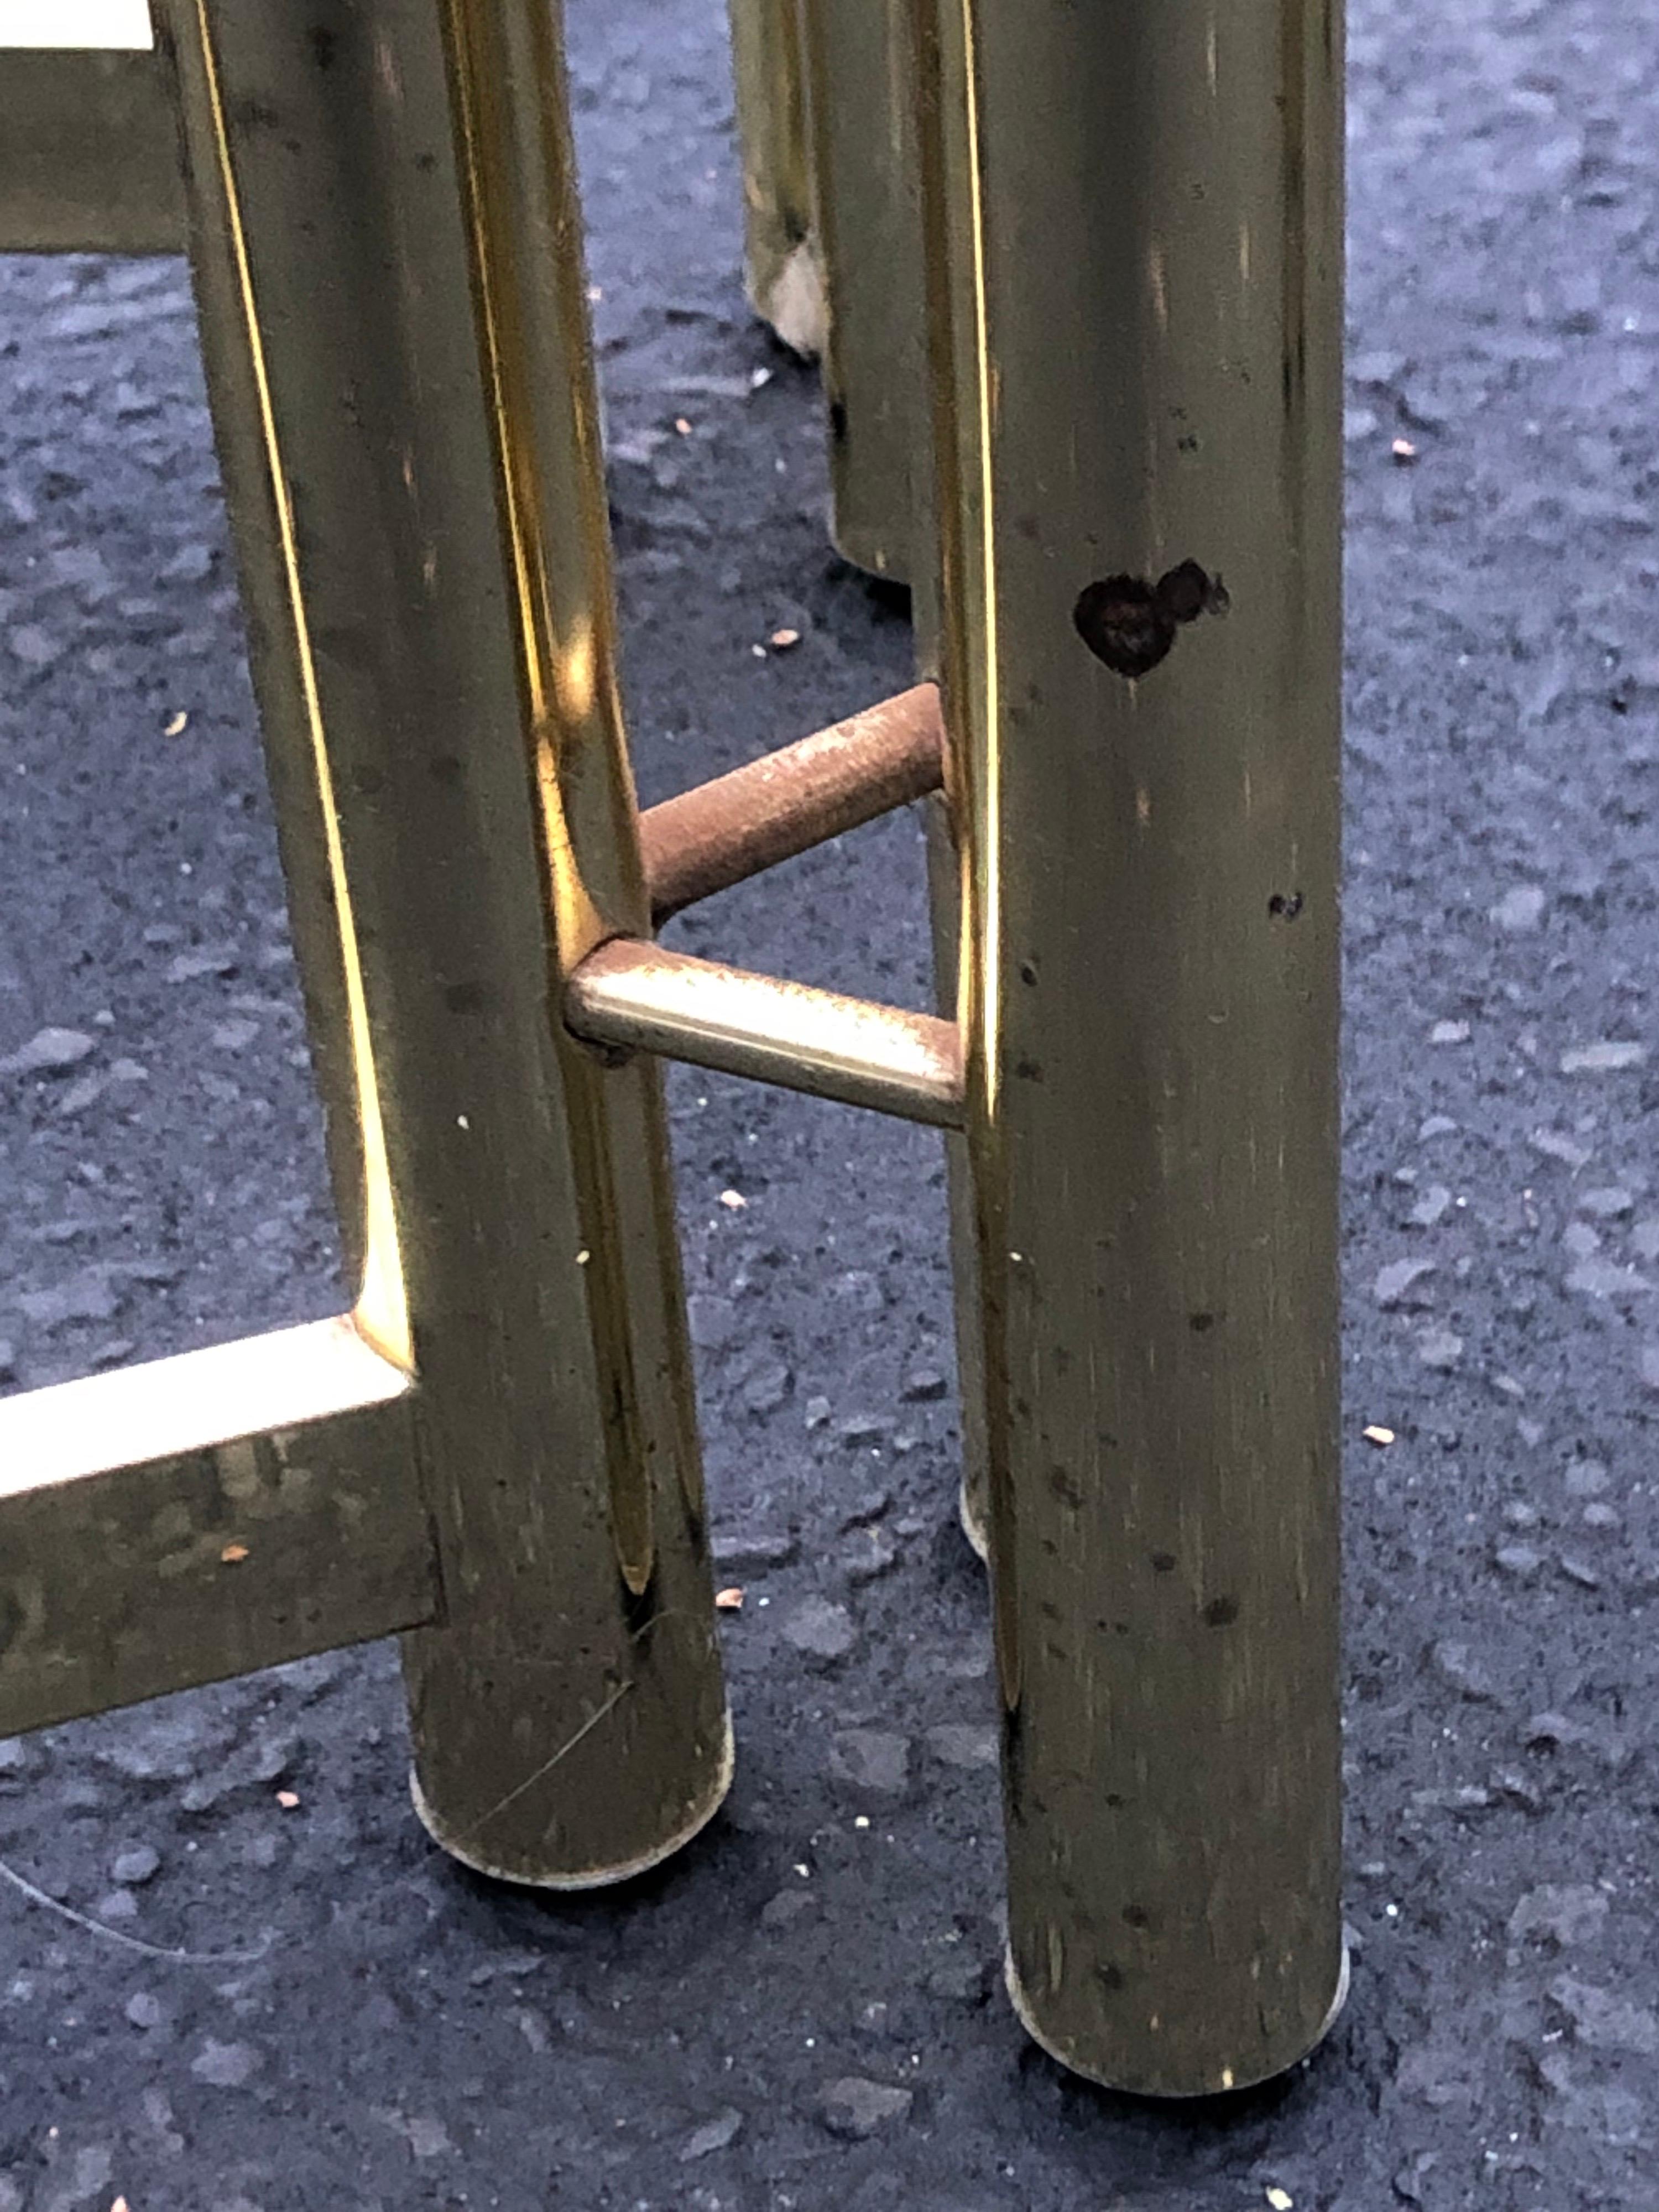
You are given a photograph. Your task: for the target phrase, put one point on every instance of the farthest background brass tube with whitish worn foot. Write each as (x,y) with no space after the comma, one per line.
(782,267)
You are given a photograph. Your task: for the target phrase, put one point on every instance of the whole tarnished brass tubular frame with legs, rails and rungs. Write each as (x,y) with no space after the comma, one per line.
(1129,620)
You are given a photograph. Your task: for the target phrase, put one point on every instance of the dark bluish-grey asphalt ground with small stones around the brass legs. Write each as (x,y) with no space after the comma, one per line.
(804,2012)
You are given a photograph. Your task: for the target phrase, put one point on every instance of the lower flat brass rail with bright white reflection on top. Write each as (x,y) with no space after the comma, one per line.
(202,1516)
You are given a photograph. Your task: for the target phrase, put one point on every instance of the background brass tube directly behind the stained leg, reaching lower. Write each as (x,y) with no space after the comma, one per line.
(868,227)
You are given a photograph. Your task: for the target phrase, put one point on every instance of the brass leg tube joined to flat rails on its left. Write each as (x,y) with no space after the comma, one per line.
(388,267)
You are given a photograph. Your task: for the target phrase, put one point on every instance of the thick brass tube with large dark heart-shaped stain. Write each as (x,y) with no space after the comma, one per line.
(1134,260)
